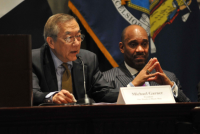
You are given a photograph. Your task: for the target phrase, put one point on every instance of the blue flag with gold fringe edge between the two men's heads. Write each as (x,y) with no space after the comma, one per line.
(105,20)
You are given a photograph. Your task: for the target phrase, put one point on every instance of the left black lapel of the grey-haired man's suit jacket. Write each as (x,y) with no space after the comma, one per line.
(49,71)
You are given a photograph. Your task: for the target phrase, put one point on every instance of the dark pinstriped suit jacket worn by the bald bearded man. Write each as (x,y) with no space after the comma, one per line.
(121,77)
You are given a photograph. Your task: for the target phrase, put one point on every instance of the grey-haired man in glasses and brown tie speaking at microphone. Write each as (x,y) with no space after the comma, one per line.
(58,75)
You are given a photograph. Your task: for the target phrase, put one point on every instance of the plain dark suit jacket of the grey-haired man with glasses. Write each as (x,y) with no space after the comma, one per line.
(45,81)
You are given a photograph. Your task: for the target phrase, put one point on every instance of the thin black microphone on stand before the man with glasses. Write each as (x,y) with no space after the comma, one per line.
(86,100)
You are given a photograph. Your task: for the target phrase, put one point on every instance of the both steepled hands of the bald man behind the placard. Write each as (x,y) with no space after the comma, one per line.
(159,76)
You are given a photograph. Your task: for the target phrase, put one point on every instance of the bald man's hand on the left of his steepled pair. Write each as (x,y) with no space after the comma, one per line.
(143,75)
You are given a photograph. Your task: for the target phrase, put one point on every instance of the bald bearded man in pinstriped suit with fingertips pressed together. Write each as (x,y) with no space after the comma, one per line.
(135,71)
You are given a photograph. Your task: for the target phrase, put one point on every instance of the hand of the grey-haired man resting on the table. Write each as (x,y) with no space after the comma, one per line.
(63,96)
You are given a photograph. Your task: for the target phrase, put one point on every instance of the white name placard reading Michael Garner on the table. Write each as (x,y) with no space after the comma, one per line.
(146,95)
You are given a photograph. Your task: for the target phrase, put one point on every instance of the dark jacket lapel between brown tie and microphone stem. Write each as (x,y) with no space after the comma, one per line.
(77,78)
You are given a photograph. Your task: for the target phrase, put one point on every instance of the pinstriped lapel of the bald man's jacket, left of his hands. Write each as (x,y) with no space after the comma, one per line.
(124,76)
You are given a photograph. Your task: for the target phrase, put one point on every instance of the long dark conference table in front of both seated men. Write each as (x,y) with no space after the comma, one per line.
(102,118)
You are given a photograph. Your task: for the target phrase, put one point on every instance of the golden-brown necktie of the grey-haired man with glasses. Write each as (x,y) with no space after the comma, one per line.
(67,79)
